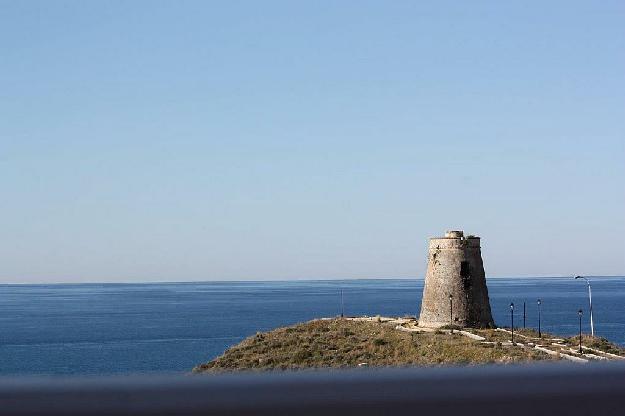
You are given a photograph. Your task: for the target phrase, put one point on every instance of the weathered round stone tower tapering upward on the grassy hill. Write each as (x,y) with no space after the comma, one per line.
(455,268)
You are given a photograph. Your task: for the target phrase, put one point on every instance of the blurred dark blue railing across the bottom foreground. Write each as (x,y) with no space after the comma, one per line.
(552,389)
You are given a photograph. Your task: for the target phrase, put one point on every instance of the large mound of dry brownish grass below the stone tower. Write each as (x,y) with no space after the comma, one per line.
(341,343)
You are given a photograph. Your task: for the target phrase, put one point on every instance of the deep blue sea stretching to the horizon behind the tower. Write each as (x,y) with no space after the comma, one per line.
(91,329)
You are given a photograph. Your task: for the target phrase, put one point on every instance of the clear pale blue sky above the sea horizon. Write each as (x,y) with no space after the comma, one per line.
(180,140)
